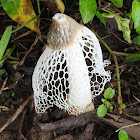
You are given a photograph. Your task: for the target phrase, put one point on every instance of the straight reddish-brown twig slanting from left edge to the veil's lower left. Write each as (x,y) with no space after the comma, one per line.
(15,115)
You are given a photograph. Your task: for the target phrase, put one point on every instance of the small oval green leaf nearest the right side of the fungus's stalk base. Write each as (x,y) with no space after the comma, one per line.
(101,111)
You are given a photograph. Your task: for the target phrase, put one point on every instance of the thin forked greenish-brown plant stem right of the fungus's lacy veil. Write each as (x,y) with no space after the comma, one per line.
(117,69)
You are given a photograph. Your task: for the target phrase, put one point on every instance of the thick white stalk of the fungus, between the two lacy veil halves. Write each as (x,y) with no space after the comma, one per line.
(79,96)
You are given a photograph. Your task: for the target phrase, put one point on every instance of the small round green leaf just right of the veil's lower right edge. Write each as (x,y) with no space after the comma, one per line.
(109,93)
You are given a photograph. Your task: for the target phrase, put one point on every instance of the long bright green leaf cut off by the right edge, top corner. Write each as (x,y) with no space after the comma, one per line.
(136,13)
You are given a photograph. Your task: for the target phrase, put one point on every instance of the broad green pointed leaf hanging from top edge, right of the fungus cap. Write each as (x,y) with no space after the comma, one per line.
(87,9)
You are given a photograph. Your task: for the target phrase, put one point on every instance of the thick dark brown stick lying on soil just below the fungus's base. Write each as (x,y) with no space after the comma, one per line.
(68,123)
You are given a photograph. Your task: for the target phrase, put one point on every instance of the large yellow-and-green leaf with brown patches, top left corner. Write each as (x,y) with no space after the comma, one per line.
(21,11)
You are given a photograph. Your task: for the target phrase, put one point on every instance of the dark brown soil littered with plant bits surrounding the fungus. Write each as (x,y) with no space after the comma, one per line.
(19,82)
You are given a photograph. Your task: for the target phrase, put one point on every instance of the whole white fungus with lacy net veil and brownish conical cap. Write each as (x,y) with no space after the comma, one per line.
(70,72)
